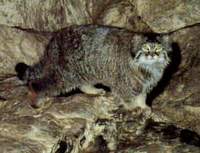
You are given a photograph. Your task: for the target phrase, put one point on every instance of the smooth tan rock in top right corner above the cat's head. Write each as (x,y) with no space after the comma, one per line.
(168,16)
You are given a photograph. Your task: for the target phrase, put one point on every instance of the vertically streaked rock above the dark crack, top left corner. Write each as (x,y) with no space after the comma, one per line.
(43,15)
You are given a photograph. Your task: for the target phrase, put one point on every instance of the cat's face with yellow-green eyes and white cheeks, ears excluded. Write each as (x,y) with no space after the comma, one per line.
(152,53)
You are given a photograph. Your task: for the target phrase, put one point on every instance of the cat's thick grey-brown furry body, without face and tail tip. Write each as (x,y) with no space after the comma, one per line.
(93,54)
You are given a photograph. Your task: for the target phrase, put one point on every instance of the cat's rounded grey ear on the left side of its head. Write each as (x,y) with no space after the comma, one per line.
(137,41)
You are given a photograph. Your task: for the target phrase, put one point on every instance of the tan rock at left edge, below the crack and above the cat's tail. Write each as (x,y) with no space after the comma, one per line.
(19,46)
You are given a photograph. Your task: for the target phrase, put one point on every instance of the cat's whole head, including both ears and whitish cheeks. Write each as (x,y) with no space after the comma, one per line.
(150,53)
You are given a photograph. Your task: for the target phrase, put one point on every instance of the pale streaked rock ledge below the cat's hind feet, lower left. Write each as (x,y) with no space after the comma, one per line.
(24,129)
